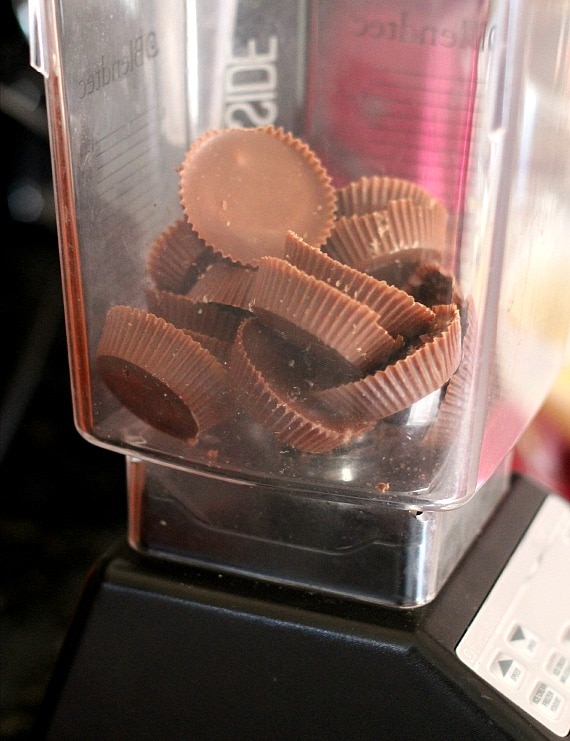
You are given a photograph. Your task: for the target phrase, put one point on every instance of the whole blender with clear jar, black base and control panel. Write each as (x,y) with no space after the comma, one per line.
(314,262)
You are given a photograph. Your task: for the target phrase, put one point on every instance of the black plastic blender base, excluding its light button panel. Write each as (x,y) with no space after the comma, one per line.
(159,651)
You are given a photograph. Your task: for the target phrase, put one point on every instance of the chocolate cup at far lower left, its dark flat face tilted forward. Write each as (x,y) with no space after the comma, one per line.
(160,374)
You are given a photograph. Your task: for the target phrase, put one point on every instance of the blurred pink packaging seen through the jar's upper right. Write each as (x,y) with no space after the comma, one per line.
(403,99)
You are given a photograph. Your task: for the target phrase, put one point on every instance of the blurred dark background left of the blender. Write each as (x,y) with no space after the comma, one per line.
(63,500)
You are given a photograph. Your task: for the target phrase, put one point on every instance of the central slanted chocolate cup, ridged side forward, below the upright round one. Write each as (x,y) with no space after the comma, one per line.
(314,315)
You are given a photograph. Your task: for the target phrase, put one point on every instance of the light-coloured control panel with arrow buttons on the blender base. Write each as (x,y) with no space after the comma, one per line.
(519,641)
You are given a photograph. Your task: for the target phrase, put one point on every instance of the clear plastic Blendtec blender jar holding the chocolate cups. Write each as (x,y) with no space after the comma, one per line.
(314,259)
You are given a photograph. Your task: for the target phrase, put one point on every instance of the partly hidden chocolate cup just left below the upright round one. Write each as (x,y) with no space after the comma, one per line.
(177,257)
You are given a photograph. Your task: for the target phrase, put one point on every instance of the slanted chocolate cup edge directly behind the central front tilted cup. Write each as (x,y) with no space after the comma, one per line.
(397,311)
